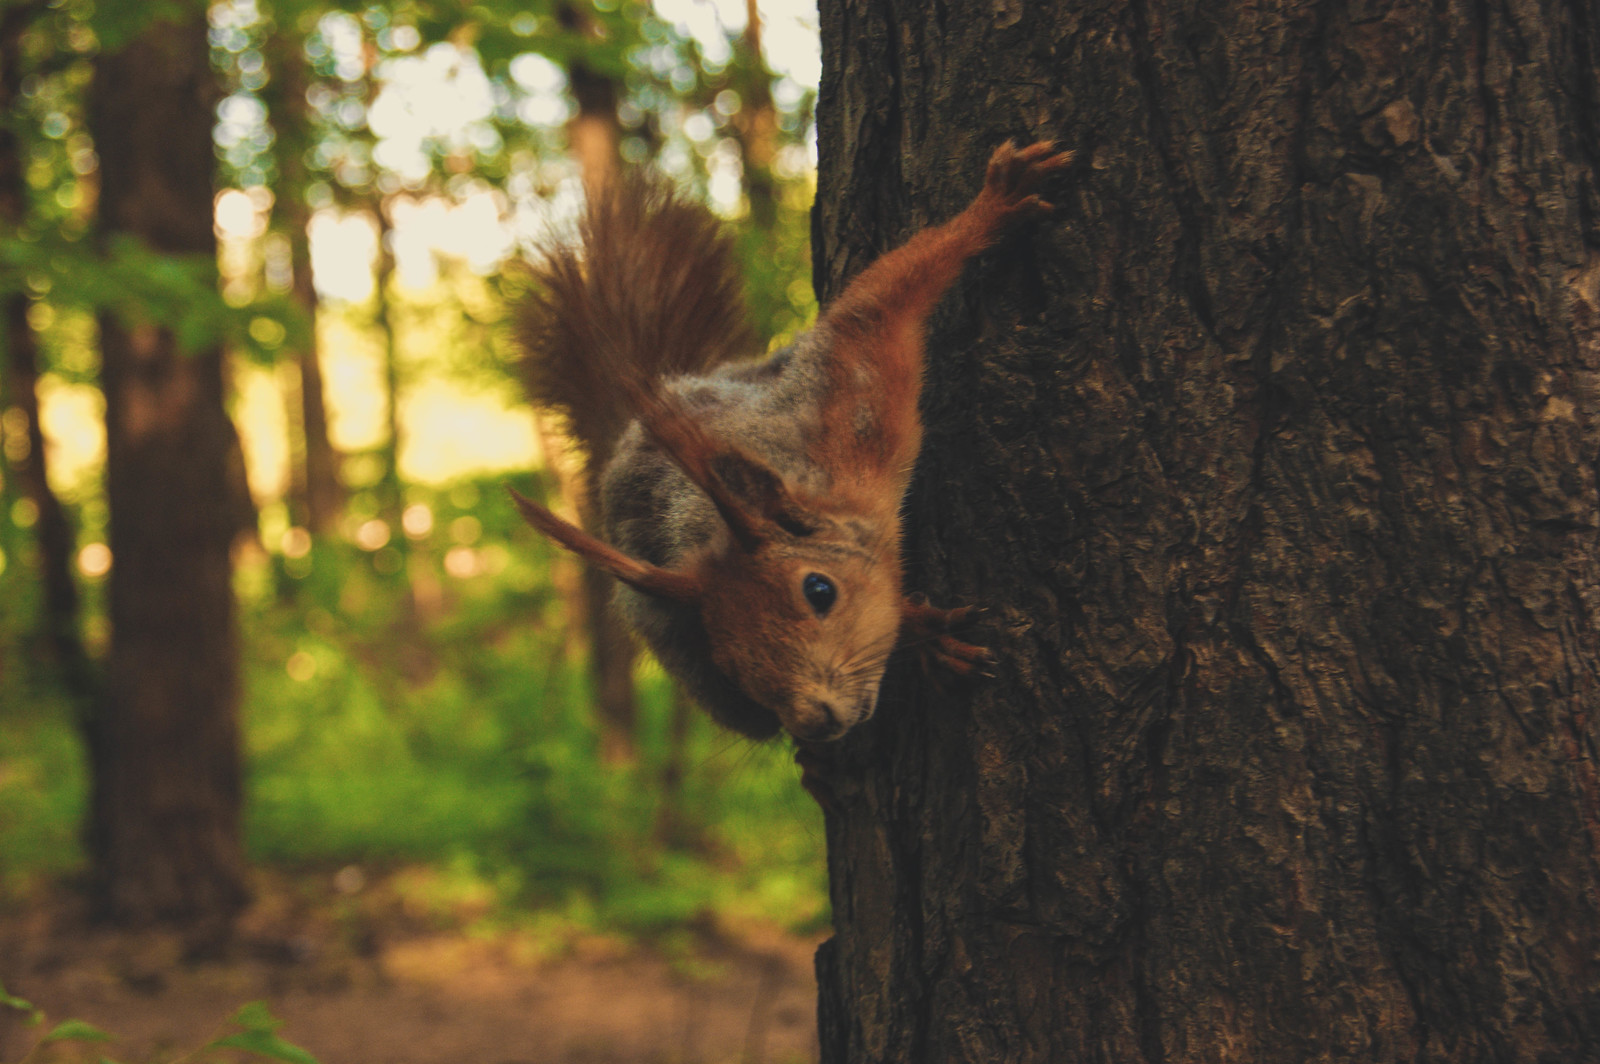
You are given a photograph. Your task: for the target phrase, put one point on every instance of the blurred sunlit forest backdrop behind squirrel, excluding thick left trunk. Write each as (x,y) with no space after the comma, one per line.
(417,698)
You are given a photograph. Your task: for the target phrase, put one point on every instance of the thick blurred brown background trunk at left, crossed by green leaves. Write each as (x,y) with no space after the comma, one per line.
(166,756)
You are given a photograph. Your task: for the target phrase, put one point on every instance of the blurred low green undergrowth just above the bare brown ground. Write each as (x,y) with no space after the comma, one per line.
(444,721)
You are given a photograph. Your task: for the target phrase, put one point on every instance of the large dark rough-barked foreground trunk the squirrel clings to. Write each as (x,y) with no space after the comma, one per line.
(1273,458)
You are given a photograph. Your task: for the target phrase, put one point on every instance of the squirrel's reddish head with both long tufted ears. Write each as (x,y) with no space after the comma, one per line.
(801,601)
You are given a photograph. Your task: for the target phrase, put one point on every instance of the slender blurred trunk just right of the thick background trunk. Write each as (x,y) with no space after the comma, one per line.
(316,492)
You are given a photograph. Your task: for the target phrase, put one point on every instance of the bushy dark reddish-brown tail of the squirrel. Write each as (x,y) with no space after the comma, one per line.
(650,289)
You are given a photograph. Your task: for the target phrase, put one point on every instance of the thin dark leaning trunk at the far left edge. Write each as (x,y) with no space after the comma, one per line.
(20,378)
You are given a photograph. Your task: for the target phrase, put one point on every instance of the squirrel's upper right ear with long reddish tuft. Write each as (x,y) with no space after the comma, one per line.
(750,495)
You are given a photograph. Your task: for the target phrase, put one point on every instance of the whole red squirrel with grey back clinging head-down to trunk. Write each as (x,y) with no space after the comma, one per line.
(754,510)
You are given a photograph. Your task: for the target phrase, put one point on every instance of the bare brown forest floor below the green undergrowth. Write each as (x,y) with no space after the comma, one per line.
(375,969)
